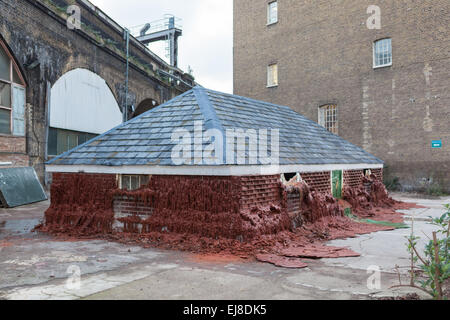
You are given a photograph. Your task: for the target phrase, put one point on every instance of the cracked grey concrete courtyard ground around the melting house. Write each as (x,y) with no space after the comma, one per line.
(37,266)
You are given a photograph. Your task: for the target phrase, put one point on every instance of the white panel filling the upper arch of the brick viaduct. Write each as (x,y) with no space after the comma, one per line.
(82,101)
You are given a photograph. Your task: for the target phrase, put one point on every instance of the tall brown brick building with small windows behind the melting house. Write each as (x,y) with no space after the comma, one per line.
(377,73)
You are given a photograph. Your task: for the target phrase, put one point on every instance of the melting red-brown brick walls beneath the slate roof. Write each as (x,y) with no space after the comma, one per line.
(206,205)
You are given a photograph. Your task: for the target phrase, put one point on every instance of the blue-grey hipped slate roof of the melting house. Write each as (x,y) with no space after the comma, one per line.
(146,139)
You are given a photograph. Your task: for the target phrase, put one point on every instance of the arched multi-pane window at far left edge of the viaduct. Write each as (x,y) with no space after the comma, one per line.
(12,95)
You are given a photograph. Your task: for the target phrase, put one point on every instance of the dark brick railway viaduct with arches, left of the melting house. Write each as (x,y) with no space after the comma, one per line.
(60,85)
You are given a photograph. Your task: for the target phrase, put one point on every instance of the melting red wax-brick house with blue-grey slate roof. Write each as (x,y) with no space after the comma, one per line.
(204,163)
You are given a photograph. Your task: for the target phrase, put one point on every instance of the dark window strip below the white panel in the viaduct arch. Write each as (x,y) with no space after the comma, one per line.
(61,140)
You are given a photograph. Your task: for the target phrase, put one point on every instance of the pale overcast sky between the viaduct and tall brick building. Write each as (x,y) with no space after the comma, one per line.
(207,41)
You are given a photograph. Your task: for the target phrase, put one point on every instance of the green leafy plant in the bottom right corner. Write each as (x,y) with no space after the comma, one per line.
(435,262)
